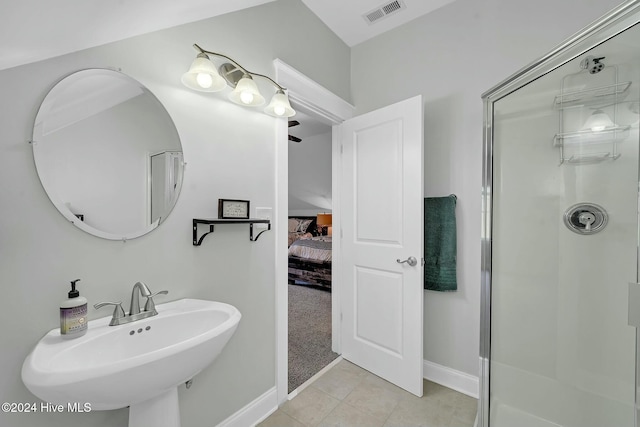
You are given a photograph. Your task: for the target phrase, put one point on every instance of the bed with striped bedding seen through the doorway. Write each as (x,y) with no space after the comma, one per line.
(309,253)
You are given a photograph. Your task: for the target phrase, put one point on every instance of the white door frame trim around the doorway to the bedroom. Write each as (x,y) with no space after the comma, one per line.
(311,98)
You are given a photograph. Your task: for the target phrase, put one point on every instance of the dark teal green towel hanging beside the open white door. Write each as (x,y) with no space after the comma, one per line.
(440,243)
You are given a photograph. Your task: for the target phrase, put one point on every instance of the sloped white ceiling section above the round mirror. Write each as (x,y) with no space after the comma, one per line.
(32,30)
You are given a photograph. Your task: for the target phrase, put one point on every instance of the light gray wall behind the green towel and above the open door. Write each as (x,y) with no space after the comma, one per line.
(451,57)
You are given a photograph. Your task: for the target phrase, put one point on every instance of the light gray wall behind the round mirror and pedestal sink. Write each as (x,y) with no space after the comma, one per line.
(229,152)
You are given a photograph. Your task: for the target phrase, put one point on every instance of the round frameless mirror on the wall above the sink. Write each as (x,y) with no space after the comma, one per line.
(108,154)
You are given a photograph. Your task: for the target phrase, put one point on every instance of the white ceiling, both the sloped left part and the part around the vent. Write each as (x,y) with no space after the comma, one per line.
(32,30)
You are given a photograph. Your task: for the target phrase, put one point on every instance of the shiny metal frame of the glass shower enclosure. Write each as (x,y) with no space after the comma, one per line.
(612,24)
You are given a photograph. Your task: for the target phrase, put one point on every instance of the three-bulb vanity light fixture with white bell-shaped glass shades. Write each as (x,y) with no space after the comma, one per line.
(204,76)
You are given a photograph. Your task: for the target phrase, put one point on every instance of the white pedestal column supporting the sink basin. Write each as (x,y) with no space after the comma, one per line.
(161,411)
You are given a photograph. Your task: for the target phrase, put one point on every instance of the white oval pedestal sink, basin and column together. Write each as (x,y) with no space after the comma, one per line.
(138,364)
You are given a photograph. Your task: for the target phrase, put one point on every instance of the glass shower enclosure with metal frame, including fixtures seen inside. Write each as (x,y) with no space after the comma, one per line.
(560,299)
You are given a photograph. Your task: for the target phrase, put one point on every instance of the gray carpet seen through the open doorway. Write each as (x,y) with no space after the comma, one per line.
(309,333)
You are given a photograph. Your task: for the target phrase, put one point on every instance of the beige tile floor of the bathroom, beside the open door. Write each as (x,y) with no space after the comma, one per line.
(349,396)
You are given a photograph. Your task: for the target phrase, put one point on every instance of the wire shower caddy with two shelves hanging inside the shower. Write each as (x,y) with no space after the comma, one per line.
(593,98)
